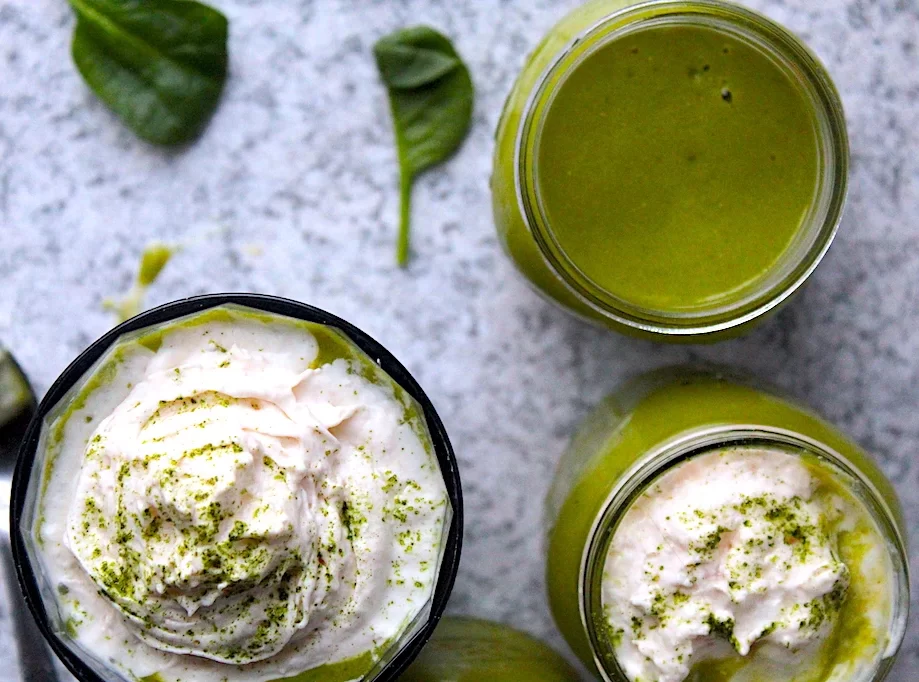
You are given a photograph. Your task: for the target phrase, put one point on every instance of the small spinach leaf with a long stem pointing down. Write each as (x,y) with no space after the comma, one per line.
(430,94)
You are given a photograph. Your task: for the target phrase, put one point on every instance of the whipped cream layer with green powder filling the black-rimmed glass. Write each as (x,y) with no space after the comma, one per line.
(244,511)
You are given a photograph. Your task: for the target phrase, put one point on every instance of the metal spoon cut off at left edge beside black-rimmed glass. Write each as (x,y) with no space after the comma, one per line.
(17,405)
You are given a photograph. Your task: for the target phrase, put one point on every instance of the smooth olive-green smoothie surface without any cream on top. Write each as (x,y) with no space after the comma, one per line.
(677,165)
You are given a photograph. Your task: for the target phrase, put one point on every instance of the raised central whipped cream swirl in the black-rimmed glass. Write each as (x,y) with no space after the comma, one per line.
(211,511)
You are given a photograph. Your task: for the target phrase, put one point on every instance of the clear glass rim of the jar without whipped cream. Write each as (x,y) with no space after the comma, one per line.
(820,225)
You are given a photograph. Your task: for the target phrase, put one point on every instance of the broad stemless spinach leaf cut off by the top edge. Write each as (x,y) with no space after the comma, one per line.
(160,65)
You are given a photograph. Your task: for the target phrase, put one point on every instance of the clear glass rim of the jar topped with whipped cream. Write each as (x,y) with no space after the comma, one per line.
(641,474)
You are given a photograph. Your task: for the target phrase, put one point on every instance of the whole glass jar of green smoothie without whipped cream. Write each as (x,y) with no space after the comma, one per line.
(623,274)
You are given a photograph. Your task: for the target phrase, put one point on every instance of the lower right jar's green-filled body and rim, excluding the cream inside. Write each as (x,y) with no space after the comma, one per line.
(651,425)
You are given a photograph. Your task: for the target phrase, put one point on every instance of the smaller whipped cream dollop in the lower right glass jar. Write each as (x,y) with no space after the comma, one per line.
(723,552)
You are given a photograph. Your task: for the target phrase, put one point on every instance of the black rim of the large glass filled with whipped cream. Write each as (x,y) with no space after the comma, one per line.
(25,572)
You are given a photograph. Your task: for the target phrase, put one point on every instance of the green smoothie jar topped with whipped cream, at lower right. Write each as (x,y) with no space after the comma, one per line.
(702,528)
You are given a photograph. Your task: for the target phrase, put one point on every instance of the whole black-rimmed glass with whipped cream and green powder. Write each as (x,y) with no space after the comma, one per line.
(88,620)
